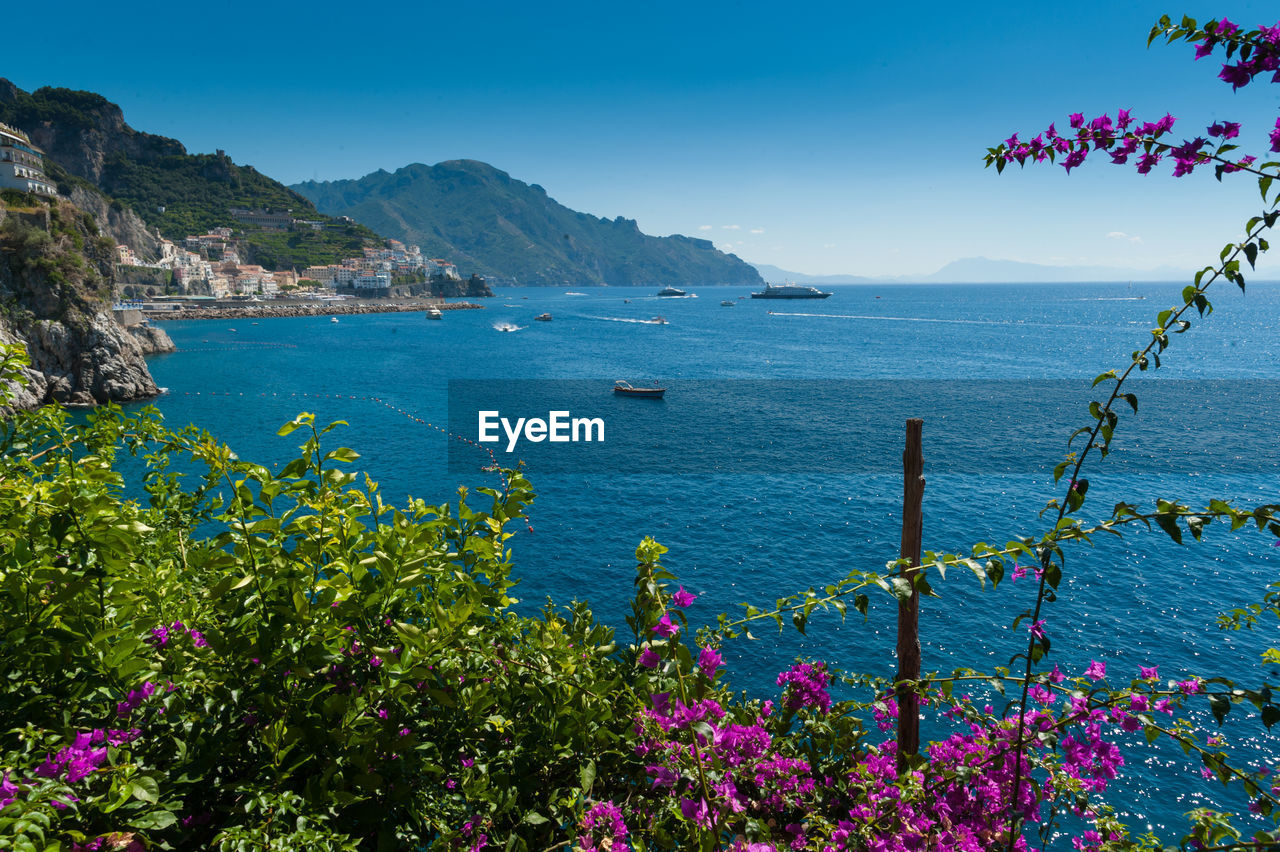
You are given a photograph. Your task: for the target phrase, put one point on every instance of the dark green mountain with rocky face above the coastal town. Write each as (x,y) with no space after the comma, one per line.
(126,178)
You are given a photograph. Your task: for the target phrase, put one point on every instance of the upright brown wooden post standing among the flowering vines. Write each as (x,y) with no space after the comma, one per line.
(909,611)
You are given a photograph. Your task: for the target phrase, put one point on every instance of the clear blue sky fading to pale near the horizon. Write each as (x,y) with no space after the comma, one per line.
(820,138)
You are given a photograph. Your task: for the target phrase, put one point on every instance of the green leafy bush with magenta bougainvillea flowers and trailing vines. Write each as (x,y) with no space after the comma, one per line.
(254,661)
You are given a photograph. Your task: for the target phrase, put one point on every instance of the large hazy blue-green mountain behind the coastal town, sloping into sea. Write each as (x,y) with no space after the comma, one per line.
(484,219)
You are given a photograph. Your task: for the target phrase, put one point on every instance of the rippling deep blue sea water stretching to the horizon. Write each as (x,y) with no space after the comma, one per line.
(1000,374)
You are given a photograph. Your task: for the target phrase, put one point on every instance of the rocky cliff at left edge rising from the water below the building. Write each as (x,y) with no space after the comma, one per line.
(56,290)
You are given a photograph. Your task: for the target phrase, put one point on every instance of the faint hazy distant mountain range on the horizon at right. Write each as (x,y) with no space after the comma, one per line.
(984,271)
